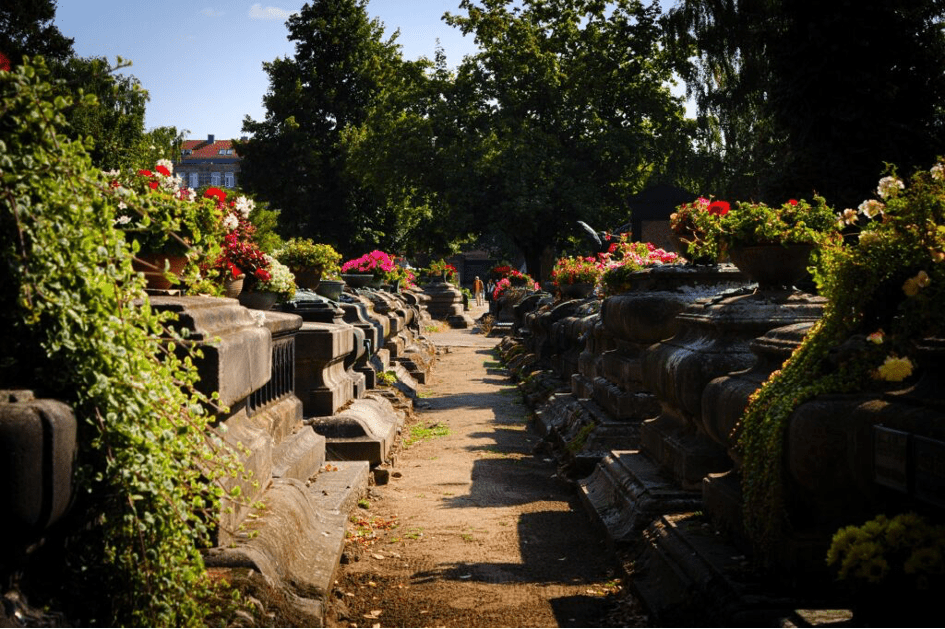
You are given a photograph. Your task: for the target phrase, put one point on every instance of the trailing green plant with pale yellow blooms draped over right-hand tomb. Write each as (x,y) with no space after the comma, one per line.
(885,292)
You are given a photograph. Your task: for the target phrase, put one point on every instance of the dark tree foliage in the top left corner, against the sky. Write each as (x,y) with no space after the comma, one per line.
(26,28)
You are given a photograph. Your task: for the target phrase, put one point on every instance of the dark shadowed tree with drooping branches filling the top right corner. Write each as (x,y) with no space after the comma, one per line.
(805,99)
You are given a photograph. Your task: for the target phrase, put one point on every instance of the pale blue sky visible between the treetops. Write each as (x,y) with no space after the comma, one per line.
(201,60)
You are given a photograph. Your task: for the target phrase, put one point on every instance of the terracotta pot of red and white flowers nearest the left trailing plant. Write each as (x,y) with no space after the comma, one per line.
(171,230)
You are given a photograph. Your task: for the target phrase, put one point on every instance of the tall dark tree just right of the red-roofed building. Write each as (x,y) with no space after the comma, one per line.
(295,157)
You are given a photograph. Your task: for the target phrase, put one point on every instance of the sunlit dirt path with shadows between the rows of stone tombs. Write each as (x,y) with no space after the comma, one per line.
(473,530)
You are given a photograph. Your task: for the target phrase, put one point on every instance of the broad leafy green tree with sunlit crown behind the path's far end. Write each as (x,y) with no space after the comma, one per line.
(571,113)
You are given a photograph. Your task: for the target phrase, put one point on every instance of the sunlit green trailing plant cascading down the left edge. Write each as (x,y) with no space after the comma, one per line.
(77,322)
